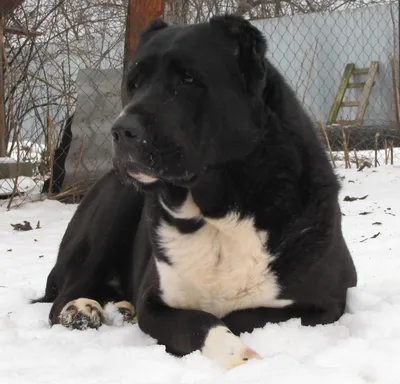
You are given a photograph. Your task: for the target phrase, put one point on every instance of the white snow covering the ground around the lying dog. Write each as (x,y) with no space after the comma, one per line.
(362,347)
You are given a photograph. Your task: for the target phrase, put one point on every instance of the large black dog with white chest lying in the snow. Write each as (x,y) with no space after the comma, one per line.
(227,216)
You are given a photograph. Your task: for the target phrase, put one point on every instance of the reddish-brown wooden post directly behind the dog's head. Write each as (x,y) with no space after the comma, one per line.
(140,13)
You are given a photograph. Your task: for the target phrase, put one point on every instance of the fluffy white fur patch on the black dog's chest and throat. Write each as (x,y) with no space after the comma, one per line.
(222,267)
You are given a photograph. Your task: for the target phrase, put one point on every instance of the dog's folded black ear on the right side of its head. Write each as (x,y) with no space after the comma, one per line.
(250,47)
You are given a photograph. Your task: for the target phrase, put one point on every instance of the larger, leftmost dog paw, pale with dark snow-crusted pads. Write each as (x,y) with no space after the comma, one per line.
(82,314)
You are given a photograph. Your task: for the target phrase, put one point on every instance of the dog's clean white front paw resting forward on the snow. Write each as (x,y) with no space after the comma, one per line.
(226,349)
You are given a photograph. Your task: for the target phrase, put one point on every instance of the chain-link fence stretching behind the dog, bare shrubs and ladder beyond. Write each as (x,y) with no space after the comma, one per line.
(60,87)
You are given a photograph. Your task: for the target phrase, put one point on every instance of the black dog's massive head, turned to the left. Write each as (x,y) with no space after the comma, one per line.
(195,100)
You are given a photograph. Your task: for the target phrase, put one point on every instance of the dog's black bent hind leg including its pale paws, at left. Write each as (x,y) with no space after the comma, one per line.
(94,262)
